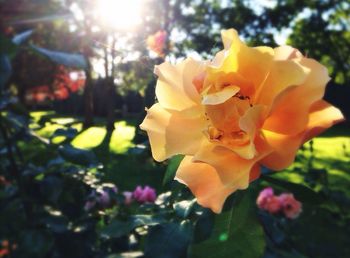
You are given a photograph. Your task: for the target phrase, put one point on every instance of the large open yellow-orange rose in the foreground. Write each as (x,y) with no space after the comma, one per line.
(246,108)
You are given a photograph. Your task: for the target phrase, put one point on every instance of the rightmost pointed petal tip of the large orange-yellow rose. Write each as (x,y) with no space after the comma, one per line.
(322,116)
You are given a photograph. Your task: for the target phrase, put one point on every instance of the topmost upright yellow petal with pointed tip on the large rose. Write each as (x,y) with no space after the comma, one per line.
(252,63)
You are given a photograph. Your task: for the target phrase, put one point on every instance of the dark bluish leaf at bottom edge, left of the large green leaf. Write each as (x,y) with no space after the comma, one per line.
(169,240)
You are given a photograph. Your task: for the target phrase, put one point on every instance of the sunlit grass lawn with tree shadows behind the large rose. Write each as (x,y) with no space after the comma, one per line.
(331,152)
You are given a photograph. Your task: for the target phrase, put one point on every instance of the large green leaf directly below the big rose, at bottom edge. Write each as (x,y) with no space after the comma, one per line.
(236,233)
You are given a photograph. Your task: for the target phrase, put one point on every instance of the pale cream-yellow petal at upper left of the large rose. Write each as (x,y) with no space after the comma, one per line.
(174,89)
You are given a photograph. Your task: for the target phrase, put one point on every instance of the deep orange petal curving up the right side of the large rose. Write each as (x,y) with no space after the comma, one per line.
(290,112)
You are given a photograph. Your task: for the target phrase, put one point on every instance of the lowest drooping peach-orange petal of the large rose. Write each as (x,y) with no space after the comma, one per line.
(205,183)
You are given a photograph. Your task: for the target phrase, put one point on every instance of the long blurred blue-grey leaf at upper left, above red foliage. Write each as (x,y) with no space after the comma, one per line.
(66,59)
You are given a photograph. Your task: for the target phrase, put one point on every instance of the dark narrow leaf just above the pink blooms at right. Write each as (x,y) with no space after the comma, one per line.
(301,192)
